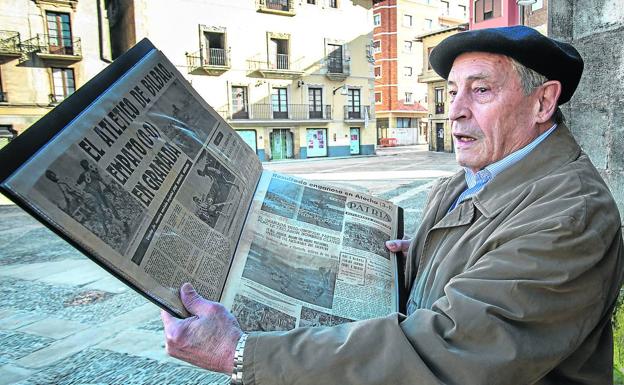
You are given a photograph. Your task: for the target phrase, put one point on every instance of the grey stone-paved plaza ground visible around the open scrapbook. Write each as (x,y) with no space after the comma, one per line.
(64,320)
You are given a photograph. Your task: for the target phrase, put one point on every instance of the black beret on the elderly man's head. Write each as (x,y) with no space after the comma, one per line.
(553,59)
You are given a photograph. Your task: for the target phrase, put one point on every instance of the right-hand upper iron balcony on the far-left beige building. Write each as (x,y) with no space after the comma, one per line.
(54,48)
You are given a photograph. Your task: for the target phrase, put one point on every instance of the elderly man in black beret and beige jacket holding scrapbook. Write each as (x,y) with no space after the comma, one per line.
(514,272)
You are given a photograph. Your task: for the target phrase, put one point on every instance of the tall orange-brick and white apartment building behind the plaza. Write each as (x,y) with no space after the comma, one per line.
(400,98)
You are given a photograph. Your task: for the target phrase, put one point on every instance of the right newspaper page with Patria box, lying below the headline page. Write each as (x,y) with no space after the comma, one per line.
(312,255)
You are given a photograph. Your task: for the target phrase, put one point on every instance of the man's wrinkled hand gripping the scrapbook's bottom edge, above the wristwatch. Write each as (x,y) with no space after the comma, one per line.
(208,338)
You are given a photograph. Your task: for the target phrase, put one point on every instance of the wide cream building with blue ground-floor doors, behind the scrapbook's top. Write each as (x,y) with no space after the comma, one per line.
(294,78)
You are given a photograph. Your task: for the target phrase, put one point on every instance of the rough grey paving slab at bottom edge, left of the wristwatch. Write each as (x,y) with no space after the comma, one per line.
(97,366)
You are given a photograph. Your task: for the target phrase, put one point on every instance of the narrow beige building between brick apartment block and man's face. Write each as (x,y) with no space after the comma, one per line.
(439,126)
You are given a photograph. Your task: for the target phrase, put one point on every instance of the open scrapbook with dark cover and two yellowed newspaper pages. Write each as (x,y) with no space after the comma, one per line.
(139,173)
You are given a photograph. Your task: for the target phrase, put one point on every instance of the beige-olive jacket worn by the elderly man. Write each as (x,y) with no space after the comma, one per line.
(514,286)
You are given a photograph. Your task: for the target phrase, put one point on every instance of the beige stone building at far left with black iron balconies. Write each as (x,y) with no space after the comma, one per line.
(48,48)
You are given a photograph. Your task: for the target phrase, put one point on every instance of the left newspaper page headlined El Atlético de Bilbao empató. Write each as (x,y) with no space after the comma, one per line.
(146,179)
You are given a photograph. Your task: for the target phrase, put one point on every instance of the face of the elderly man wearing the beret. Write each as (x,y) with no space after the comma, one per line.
(490,115)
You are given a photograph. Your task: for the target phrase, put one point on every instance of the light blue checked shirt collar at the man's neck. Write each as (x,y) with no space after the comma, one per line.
(477,181)
